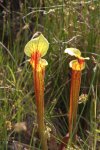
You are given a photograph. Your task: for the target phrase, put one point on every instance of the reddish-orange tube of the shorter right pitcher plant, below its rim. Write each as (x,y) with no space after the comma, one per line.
(74,96)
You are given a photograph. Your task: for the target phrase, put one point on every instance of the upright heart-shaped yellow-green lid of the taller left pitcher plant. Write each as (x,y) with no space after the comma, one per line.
(39,44)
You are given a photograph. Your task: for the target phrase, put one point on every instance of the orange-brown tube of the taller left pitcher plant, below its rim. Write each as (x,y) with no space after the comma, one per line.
(39,94)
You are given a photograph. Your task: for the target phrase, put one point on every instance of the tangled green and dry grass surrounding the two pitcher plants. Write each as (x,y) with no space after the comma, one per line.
(64,24)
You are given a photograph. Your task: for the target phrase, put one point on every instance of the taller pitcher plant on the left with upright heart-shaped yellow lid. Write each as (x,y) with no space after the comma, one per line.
(36,48)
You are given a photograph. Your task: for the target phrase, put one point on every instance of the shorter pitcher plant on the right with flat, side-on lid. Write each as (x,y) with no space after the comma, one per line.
(76,66)
